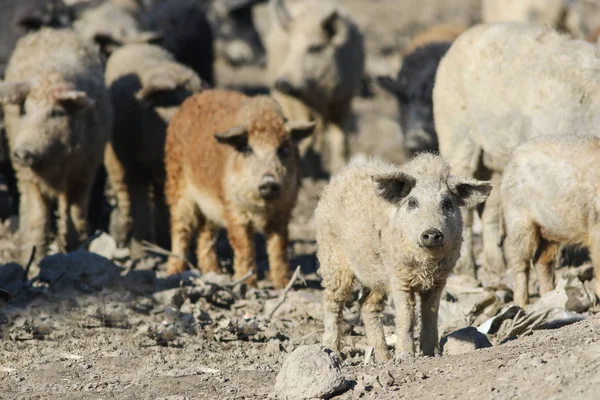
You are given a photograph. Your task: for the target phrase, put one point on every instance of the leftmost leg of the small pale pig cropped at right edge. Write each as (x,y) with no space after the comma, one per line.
(521,243)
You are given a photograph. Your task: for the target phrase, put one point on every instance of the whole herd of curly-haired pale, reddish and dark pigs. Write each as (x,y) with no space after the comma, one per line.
(113,102)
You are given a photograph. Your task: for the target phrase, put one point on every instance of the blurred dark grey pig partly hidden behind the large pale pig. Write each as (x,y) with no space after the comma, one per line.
(413,90)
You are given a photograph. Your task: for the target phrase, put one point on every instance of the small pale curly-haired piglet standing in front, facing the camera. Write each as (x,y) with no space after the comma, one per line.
(391,229)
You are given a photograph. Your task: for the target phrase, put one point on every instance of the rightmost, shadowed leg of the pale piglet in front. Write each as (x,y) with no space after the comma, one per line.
(430,304)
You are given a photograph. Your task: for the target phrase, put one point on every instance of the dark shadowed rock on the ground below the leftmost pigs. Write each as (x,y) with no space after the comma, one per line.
(79,270)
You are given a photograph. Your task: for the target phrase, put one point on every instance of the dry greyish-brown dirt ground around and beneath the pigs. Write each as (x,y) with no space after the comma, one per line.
(148,336)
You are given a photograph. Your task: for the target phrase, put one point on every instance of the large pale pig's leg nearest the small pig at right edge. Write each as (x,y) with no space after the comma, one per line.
(493,254)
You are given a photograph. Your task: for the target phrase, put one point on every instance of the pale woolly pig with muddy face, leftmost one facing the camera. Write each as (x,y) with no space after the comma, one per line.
(58,119)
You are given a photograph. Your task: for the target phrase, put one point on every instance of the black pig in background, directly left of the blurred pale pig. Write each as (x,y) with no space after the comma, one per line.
(186,34)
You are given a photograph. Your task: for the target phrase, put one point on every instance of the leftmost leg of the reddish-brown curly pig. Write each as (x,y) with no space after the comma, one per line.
(184,220)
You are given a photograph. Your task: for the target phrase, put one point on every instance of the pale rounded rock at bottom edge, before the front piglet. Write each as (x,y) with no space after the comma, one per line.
(310,372)
